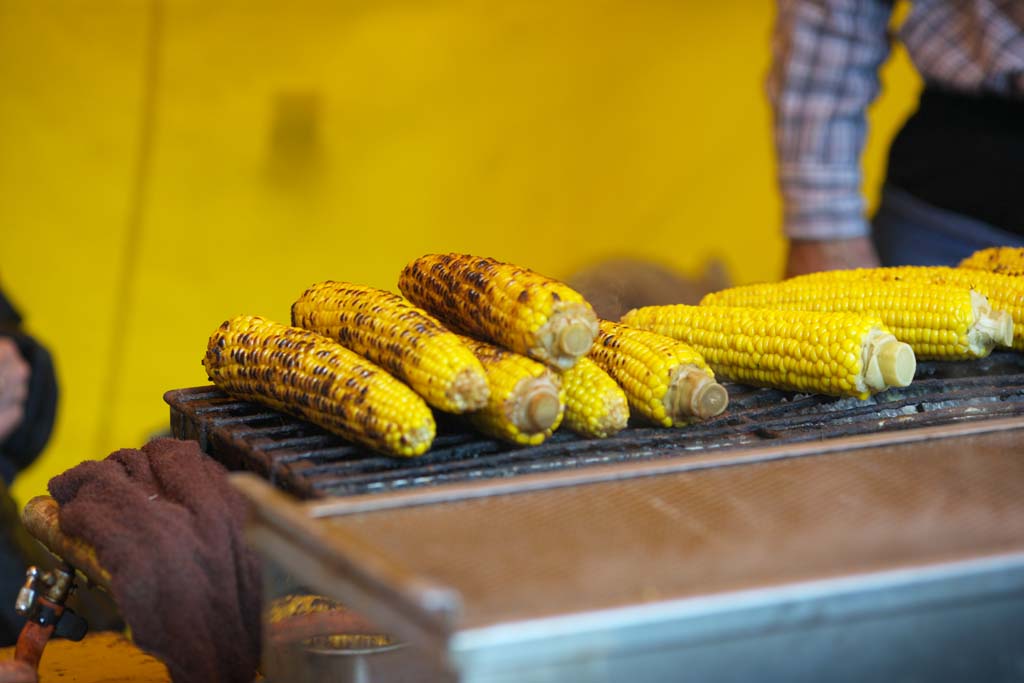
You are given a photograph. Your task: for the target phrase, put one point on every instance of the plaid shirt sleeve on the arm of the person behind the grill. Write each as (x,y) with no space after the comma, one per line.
(827,56)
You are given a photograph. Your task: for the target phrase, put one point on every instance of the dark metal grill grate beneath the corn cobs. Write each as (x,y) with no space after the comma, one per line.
(311,463)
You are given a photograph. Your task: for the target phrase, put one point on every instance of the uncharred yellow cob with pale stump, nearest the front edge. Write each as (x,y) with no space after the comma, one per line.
(843,355)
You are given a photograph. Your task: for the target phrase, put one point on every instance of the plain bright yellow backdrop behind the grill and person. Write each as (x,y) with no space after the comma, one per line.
(166,165)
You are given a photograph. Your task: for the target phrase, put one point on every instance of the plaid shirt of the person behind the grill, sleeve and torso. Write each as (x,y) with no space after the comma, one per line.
(827,56)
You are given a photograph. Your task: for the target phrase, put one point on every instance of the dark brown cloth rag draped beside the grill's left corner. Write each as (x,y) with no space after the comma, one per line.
(167,526)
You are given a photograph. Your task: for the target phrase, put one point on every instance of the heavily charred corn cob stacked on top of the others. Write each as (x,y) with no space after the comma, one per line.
(505,305)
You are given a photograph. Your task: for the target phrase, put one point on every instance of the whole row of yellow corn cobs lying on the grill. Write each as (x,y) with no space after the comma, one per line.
(520,354)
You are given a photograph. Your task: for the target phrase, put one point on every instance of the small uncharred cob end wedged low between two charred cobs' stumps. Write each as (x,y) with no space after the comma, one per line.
(595,406)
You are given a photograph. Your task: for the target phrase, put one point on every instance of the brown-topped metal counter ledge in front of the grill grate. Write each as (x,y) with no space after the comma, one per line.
(887,560)
